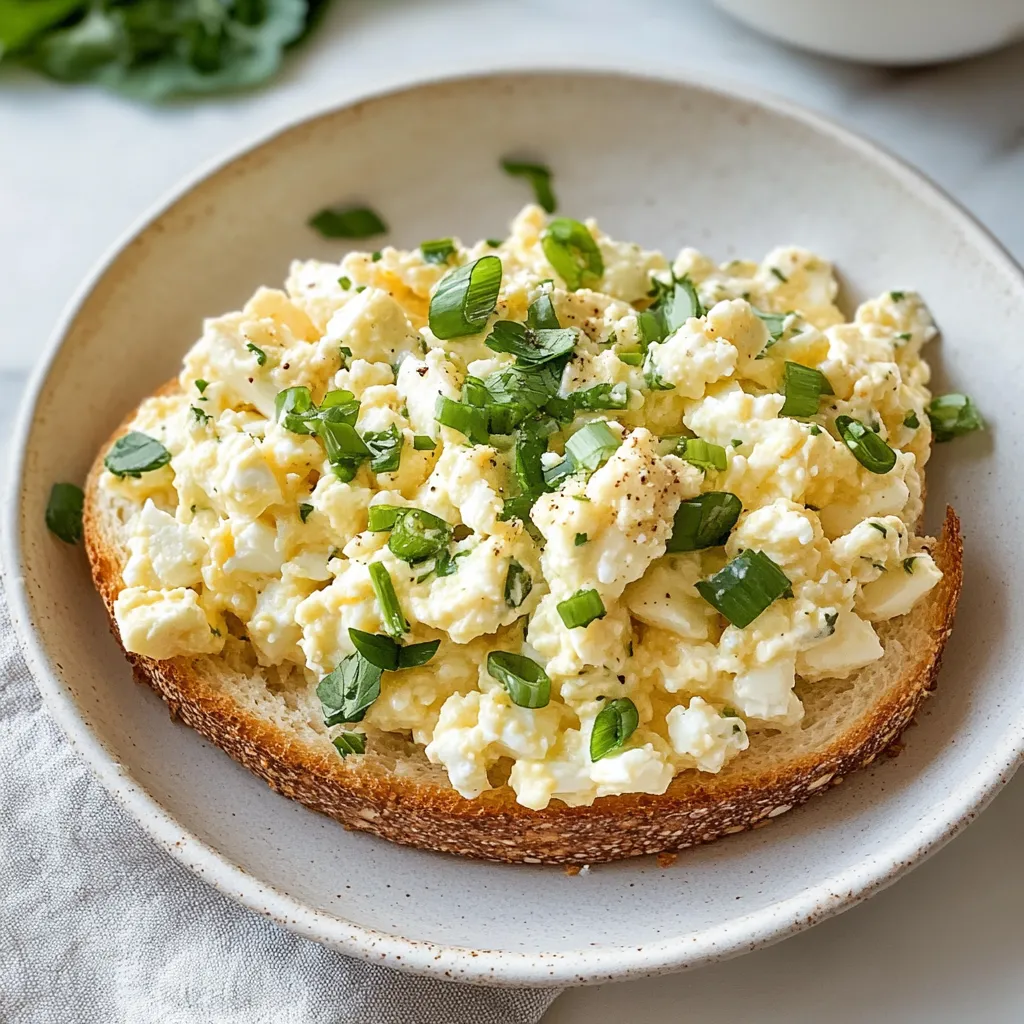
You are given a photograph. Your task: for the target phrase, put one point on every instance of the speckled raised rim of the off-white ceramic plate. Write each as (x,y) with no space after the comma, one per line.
(772,924)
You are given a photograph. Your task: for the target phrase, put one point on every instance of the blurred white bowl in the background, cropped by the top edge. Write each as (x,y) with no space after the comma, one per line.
(886,32)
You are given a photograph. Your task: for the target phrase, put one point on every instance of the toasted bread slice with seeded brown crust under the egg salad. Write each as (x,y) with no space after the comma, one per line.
(271,721)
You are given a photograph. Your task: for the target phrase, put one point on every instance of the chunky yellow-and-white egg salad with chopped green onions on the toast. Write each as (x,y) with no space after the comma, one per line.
(572,517)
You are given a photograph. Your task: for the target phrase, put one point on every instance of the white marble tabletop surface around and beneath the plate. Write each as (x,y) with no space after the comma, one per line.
(78,167)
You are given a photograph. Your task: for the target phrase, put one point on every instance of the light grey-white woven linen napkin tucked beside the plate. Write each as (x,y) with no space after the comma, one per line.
(100,926)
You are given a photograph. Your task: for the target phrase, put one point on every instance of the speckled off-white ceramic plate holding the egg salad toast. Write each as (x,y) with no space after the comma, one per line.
(663,162)
